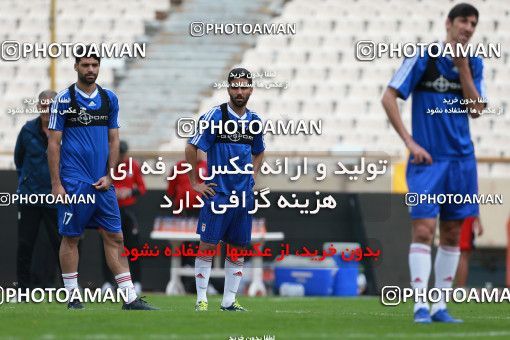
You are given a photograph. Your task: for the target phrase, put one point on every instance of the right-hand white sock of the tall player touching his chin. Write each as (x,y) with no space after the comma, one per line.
(445,267)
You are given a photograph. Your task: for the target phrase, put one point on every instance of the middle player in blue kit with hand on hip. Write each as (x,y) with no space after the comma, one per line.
(233,226)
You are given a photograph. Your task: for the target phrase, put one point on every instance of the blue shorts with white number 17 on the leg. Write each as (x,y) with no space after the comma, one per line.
(74,218)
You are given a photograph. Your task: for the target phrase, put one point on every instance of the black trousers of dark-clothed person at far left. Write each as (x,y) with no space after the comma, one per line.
(29,220)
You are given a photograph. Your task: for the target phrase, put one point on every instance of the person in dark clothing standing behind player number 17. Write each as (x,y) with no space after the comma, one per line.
(31,162)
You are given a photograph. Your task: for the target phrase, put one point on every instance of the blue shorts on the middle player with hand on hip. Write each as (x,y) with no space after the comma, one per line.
(233,226)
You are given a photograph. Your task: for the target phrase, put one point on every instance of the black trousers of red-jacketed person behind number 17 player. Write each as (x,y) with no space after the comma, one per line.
(131,240)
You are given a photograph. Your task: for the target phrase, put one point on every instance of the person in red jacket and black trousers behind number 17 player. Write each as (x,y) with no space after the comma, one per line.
(128,190)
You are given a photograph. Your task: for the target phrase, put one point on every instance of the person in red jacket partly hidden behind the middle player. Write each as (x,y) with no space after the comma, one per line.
(178,187)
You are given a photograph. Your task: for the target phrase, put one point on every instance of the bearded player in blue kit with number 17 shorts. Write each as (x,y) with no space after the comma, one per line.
(82,147)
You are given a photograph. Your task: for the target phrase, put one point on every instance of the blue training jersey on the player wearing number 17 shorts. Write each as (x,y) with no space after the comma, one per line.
(85,149)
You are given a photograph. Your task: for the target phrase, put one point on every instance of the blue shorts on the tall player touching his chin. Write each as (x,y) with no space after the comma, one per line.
(443,177)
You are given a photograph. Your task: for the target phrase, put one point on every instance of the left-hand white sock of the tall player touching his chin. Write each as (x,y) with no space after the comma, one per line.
(420,264)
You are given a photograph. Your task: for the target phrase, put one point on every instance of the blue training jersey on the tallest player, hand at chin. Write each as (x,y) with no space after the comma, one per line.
(432,81)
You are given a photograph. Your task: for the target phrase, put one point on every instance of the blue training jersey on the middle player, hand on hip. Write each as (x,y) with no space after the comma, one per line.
(220,153)
